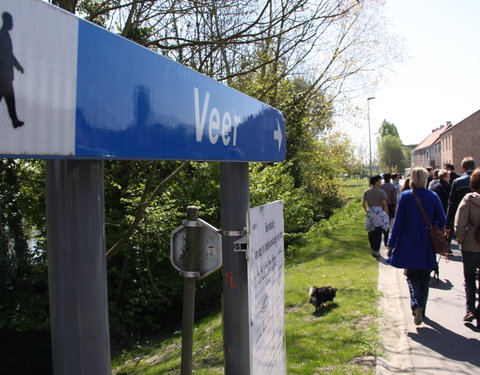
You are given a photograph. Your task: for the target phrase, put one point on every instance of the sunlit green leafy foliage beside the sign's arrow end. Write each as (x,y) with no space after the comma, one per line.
(309,181)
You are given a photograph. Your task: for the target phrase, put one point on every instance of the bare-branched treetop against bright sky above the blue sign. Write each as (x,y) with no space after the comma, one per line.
(333,44)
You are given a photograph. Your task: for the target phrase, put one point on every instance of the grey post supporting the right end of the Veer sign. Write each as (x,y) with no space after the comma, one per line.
(235,198)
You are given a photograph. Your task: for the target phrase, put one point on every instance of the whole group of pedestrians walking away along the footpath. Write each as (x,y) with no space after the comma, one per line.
(451,202)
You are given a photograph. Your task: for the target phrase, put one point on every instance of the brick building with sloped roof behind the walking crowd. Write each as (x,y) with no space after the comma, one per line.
(450,144)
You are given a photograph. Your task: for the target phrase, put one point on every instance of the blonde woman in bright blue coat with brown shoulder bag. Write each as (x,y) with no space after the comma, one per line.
(409,245)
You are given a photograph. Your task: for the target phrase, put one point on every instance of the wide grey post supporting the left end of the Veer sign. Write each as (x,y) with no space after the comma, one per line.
(77,267)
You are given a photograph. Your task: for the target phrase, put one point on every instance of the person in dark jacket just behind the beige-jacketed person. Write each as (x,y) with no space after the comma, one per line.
(460,187)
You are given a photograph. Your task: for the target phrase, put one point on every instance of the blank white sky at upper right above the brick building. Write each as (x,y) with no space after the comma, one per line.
(439,78)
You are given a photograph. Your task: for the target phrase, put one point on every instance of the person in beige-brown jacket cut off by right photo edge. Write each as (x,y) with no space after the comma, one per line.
(467,228)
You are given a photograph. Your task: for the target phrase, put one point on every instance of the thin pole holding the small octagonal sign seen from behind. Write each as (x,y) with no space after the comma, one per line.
(190,263)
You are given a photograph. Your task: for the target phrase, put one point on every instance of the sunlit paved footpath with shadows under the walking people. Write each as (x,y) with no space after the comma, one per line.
(442,344)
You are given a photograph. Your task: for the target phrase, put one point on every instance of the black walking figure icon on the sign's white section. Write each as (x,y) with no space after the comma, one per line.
(7,62)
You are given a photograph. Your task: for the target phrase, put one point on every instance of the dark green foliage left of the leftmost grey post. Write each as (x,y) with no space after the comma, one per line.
(23,272)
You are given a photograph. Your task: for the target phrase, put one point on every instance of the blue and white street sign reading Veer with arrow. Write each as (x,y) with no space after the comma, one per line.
(110,98)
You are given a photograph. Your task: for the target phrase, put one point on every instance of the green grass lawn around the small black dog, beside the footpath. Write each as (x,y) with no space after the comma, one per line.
(343,339)
